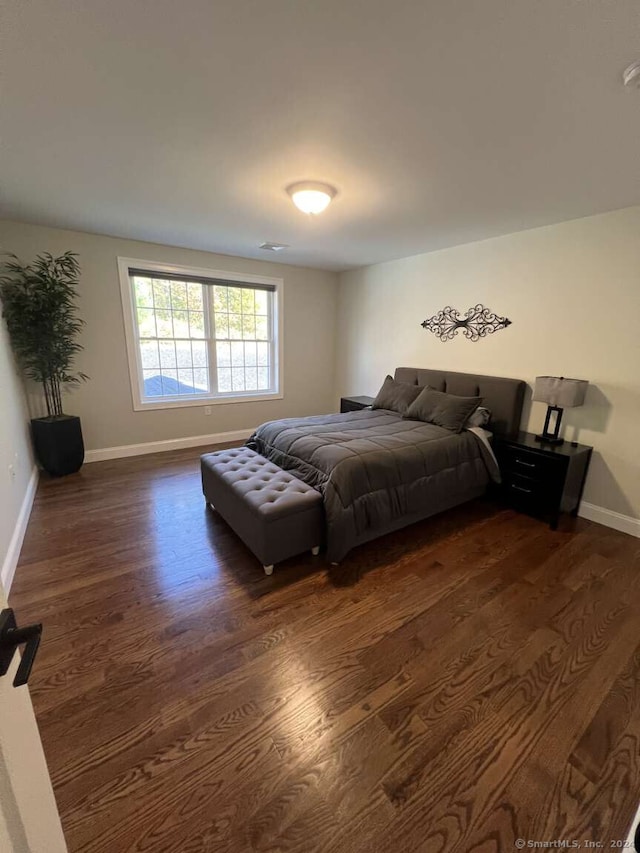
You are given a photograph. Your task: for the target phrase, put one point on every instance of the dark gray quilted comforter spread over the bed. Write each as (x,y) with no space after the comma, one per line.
(376,471)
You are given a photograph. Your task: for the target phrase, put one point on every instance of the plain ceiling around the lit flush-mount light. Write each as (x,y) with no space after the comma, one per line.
(440,122)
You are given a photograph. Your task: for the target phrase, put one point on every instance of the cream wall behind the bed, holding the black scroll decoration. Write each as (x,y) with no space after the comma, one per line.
(573,294)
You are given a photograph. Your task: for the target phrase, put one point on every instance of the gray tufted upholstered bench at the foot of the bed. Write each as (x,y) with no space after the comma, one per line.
(274,513)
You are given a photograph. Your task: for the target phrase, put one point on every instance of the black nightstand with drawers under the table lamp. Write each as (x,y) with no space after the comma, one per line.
(541,479)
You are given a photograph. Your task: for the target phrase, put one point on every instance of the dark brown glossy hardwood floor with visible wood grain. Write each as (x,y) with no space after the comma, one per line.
(453,687)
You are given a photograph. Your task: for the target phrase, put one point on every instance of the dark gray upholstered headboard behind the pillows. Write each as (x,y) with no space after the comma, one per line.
(503,396)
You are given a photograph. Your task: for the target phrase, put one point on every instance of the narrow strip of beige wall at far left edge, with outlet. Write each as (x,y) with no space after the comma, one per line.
(15,448)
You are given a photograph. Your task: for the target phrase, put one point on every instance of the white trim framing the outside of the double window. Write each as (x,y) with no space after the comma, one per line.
(131,334)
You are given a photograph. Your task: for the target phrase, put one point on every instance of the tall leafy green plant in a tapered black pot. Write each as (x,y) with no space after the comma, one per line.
(38,304)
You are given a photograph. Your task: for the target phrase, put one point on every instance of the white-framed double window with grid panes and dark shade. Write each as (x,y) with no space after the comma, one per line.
(196,336)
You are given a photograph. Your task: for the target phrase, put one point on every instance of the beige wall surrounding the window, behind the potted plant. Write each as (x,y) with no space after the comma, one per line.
(104,403)
